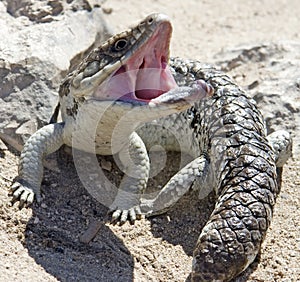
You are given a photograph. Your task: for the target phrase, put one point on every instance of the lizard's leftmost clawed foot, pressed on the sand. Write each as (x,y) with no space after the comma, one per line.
(24,194)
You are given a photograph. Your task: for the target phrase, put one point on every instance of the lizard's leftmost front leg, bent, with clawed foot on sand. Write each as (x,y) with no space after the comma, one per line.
(43,142)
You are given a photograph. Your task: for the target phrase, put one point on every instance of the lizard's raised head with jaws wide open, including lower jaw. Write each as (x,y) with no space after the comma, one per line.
(131,69)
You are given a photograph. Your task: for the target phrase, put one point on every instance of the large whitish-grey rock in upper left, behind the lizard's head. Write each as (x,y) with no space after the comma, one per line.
(39,39)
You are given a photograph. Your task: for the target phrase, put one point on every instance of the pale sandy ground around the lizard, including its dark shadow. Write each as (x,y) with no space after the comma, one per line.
(42,243)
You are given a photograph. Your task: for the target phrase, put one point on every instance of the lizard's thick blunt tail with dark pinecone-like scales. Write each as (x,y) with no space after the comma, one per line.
(233,235)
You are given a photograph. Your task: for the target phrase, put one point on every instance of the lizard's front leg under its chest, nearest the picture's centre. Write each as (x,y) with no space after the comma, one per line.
(135,160)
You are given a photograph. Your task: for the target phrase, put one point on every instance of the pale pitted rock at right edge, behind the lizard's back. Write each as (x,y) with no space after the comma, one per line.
(278,90)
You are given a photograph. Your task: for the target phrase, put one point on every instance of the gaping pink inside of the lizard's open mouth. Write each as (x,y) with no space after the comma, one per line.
(145,75)
